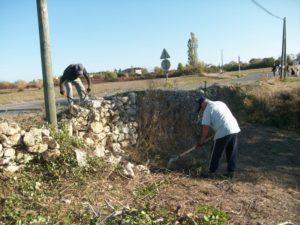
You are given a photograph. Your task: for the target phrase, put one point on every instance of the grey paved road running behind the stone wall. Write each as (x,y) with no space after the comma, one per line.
(39,105)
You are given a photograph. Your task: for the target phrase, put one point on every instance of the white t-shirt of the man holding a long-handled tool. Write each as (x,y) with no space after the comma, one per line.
(218,116)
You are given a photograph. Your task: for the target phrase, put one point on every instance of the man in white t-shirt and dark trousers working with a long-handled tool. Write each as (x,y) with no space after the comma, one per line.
(219,117)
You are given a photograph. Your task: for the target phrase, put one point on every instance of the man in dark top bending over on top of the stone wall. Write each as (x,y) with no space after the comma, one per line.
(71,76)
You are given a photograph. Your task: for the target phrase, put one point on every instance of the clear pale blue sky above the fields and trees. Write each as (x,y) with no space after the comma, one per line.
(118,34)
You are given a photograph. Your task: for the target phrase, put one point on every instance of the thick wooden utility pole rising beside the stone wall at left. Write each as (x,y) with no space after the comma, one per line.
(49,95)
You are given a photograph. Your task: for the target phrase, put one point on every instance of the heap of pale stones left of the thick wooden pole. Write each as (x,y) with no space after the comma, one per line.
(18,147)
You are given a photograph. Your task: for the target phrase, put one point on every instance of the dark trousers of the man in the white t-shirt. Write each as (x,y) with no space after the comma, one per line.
(229,144)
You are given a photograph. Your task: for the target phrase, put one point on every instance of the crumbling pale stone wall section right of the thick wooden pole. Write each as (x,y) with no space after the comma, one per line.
(106,125)
